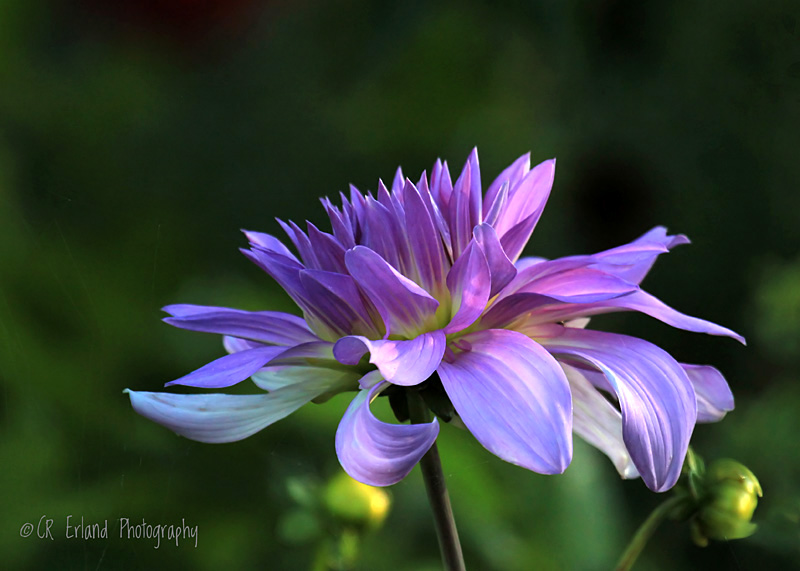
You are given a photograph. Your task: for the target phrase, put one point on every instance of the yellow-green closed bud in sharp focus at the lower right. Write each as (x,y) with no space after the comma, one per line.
(731,496)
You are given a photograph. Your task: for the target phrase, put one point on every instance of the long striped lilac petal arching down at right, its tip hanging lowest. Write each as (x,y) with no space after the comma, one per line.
(658,402)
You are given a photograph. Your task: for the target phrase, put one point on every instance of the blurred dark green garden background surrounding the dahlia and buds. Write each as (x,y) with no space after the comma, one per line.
(138,137)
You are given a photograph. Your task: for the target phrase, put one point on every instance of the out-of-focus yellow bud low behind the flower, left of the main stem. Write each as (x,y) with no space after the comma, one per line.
(355,503)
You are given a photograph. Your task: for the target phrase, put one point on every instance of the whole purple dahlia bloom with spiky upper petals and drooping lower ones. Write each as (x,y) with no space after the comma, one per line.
(424,283)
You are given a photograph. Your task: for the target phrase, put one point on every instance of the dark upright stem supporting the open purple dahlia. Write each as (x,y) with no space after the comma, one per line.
(438,497)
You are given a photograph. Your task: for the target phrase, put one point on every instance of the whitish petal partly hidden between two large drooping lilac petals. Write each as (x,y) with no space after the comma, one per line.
(597,421)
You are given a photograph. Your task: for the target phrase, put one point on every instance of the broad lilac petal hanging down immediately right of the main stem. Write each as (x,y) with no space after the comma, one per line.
(514,398)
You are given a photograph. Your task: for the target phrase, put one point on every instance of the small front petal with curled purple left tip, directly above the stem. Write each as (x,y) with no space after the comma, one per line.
(401,362)
